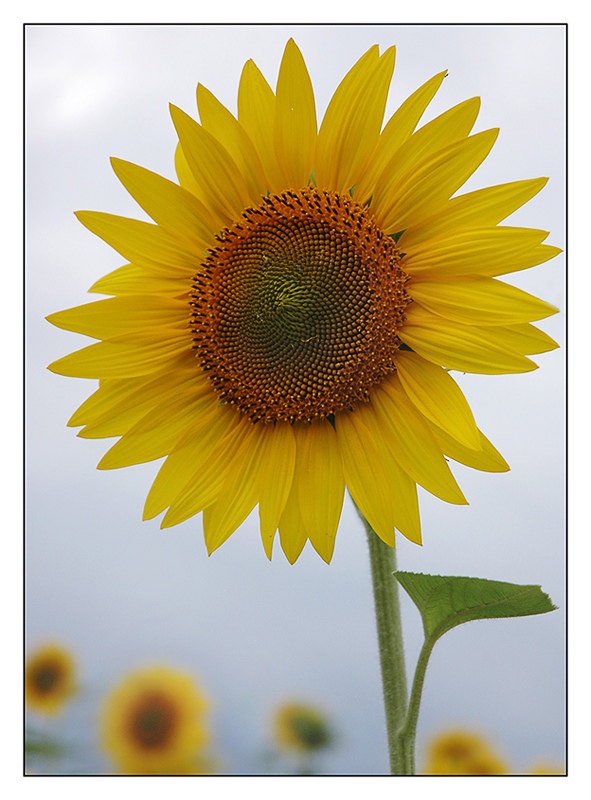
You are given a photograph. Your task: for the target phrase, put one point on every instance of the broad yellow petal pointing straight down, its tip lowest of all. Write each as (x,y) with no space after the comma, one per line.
(321,484)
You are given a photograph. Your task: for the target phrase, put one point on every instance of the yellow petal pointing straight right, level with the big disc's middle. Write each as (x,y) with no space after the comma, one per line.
(479,301)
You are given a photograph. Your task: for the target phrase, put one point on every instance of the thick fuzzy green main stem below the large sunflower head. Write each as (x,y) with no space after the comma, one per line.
(389,627)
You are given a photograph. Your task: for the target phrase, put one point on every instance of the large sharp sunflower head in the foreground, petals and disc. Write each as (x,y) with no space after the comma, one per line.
(286,326)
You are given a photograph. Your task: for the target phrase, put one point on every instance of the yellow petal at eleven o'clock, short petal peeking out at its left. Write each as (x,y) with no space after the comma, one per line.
(221,186)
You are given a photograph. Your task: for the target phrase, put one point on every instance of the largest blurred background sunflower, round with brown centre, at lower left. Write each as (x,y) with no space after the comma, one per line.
(153,723)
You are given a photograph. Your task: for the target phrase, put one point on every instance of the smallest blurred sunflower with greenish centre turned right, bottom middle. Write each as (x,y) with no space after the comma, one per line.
(301,727)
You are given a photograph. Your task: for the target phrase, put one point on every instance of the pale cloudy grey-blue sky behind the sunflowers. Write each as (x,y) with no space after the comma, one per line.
(121,593)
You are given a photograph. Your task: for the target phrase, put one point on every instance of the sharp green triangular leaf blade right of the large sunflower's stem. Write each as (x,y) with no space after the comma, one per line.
(446,601)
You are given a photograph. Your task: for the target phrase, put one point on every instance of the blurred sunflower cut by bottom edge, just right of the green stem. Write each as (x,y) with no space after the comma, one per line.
(459,752)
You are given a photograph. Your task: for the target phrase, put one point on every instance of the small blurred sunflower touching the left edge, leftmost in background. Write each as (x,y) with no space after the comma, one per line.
(49,679)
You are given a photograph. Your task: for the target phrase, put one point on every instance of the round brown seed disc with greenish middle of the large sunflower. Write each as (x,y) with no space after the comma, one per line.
(295,312)
